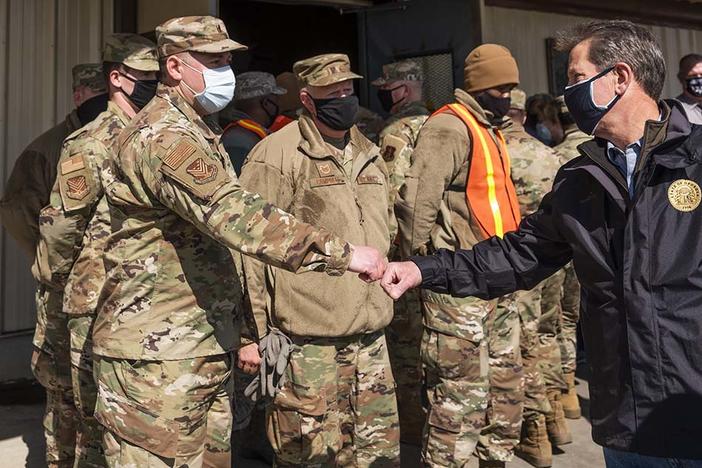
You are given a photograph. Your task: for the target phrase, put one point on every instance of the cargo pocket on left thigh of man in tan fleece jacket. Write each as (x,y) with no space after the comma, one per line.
(302,430)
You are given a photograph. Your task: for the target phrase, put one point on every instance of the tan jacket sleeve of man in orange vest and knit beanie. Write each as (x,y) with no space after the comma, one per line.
(436,160)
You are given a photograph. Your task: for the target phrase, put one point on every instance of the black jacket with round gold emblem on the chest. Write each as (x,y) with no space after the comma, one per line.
(639,262)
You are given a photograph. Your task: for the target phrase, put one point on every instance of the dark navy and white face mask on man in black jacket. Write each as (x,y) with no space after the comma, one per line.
(581,103)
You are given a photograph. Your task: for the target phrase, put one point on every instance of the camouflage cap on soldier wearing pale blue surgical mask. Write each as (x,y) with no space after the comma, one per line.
(194,33)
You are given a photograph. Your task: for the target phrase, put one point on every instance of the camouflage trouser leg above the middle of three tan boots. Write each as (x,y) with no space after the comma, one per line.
(549,351)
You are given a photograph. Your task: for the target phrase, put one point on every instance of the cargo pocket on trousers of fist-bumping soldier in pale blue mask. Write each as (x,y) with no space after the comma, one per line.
(136,424)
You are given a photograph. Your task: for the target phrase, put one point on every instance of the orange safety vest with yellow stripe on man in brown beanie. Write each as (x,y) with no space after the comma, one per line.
(490,192)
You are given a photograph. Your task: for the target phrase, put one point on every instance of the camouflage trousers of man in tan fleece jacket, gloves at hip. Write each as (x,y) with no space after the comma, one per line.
(337,406)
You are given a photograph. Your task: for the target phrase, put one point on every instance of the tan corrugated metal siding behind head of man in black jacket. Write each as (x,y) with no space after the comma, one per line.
(525,32)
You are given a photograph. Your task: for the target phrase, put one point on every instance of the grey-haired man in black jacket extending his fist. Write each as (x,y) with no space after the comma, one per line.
(627,213)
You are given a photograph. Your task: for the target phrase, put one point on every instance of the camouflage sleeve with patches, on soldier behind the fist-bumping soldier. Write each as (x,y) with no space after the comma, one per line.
(63,222)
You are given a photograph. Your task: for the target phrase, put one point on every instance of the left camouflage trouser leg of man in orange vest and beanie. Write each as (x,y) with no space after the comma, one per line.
(455,364)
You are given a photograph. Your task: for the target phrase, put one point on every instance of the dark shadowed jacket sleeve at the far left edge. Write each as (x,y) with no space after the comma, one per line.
(26,193)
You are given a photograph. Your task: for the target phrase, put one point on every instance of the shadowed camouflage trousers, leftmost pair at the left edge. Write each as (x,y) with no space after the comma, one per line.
(51,365)
